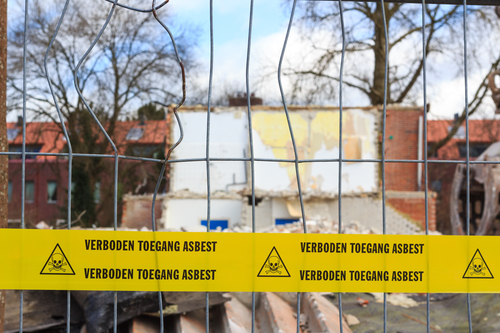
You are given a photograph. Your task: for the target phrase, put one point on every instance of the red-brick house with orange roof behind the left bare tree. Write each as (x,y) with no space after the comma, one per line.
(46,176)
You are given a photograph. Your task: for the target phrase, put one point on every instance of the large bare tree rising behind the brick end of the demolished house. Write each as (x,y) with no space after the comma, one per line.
(365,42)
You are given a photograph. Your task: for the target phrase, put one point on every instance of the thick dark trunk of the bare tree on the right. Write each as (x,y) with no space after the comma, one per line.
(377,91)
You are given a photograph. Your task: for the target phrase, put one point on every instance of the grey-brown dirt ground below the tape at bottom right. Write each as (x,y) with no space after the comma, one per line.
(448,313)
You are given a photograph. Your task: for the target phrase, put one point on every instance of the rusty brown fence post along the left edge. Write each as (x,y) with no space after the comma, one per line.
(4,160)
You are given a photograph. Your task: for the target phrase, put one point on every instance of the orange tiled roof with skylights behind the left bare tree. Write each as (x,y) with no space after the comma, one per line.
(49,137)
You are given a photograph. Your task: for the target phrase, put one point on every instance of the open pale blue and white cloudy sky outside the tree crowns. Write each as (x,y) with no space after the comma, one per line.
(445,88)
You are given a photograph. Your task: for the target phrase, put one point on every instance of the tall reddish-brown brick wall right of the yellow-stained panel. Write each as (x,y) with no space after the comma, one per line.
(402,143)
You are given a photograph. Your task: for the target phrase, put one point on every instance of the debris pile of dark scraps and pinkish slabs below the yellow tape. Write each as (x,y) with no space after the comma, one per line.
(93,312)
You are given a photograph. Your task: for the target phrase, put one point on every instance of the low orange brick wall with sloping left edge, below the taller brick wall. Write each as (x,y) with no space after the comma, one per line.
(412,205)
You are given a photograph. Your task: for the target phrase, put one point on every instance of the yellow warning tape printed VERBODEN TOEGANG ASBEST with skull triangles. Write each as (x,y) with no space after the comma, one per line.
(168,261)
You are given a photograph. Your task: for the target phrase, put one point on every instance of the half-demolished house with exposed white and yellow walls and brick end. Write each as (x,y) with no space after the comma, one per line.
(316,132)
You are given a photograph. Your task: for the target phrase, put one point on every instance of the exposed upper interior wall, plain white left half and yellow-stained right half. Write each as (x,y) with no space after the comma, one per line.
(317,137)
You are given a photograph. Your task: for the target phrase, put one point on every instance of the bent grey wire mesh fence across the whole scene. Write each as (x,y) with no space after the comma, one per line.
(252,159)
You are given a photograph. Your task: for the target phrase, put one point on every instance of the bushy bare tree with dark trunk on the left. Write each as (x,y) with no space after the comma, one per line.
(133,63)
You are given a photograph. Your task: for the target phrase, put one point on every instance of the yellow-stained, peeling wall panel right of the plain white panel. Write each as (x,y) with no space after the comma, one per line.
(316,135)
